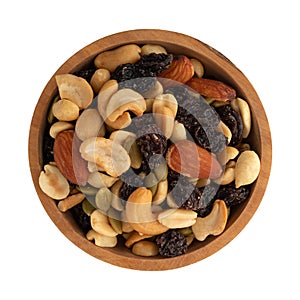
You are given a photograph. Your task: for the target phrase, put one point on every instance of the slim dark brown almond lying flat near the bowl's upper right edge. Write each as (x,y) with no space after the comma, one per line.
(212,89)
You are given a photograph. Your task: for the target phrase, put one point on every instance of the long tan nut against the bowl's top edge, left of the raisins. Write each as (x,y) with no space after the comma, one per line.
(113,58)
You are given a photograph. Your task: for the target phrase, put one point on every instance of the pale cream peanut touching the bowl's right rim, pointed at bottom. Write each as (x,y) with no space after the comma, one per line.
(247,168)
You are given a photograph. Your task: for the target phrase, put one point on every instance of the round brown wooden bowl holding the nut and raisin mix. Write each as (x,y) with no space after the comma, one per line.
(215,63)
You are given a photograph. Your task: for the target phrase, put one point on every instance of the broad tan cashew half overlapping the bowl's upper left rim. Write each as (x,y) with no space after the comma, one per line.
(74,88)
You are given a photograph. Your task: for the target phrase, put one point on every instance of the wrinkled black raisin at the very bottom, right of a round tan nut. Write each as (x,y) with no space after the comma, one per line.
(171,243)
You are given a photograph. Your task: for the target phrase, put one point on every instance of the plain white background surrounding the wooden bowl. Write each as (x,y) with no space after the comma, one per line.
(261,38)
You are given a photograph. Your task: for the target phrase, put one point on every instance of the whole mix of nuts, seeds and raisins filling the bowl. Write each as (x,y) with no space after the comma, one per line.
(143,149)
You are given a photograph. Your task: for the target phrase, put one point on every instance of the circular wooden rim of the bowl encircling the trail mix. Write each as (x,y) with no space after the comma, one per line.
(142,36)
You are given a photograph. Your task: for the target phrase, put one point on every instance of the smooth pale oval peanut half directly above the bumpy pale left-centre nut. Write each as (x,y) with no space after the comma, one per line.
(89,124)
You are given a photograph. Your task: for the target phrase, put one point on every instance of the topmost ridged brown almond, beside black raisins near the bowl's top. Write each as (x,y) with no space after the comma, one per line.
(180,70)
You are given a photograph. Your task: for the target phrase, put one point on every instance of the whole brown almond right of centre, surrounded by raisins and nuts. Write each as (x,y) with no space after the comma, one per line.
(187,158)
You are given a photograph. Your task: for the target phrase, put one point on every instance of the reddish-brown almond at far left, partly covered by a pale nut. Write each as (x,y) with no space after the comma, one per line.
(68,158)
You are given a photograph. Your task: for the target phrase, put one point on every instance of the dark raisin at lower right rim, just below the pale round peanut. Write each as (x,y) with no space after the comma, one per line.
(232,195)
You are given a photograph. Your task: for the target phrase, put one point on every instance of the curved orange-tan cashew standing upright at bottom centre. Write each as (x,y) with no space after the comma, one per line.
(139,213)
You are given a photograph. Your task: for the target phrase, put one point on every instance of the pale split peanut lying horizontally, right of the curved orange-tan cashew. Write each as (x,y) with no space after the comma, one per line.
(177,218)
